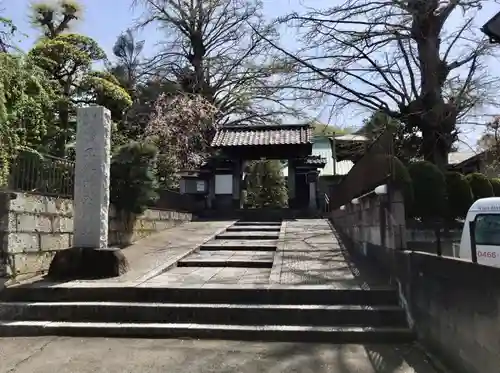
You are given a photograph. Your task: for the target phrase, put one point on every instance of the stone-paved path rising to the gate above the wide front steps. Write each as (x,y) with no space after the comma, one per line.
(307,253)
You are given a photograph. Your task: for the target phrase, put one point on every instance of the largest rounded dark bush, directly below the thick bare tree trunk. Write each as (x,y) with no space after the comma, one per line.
(429,188)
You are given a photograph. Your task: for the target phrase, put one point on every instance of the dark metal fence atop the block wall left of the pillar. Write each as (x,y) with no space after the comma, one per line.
(41,174)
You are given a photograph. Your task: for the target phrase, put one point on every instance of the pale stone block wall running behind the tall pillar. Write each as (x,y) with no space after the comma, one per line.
(34,227)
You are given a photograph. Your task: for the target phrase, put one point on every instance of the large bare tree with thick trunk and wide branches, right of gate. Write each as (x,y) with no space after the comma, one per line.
(398,58)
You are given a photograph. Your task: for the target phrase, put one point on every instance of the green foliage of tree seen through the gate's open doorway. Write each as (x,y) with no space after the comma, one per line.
(266,185)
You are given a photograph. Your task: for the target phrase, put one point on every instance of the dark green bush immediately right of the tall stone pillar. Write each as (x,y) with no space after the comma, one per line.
(133,183)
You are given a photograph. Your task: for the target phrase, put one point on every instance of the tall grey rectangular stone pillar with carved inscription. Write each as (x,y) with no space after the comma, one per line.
(92,169)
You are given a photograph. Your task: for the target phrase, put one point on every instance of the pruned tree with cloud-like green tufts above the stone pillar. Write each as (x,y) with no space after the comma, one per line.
(68,59)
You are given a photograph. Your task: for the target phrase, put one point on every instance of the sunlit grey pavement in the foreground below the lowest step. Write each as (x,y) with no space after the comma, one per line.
(96,355)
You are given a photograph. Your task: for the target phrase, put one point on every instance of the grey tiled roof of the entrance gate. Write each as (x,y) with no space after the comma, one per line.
(262,135)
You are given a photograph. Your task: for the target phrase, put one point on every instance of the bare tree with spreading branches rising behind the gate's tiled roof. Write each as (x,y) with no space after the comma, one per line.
(212,49)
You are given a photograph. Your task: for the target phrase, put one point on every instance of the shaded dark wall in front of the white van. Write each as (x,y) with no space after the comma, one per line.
(455,309)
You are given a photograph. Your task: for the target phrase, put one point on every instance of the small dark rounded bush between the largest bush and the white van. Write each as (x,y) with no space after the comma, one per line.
(459,195)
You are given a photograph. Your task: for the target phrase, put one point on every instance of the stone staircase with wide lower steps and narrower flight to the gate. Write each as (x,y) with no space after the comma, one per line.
(217,310)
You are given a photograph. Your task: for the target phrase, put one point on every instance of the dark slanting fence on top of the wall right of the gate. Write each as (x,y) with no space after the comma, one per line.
(371,170)
